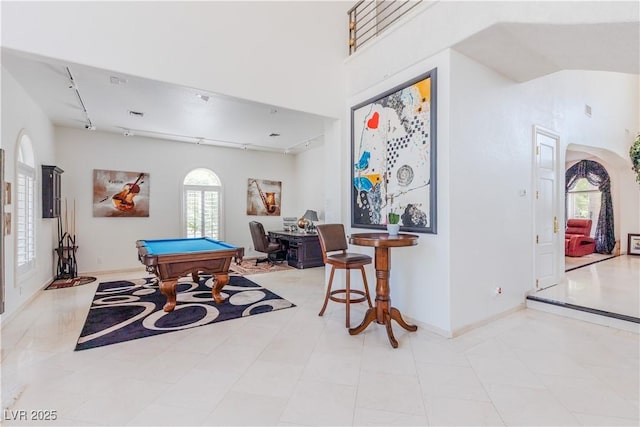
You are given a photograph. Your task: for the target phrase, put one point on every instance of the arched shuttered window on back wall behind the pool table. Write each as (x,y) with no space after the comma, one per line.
(201,195)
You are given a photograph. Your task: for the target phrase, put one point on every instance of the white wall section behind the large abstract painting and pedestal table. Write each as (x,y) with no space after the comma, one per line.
(420,275)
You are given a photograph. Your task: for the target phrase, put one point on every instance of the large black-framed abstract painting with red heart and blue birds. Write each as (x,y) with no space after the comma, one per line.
(393,153)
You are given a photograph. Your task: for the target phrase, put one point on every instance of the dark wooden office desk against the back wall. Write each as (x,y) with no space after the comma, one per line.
(303,249)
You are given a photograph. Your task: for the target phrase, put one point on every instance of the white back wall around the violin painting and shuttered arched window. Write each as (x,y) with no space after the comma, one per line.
(112,240)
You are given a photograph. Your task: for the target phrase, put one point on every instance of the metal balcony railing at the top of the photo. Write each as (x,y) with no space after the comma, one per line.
(368,18)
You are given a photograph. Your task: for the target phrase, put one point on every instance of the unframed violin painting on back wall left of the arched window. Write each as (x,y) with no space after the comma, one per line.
(120,193)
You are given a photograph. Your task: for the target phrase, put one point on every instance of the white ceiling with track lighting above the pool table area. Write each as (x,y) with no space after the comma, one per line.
(168,111)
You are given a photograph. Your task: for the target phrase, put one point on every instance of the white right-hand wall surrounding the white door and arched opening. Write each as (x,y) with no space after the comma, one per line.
(491,145)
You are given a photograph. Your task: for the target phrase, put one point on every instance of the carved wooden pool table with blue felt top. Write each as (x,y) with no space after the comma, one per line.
(170,259)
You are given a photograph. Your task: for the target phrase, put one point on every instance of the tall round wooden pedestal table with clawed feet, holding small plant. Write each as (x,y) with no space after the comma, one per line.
(382,312)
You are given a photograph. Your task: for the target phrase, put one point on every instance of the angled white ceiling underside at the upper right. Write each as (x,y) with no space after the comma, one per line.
(524,52)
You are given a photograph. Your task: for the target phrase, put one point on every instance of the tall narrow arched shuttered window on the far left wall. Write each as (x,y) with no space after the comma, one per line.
(25,206)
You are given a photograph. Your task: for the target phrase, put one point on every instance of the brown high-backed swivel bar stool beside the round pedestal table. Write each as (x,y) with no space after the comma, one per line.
(334,252)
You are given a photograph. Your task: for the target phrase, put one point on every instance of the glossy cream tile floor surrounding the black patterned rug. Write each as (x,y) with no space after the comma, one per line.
(292,367)
